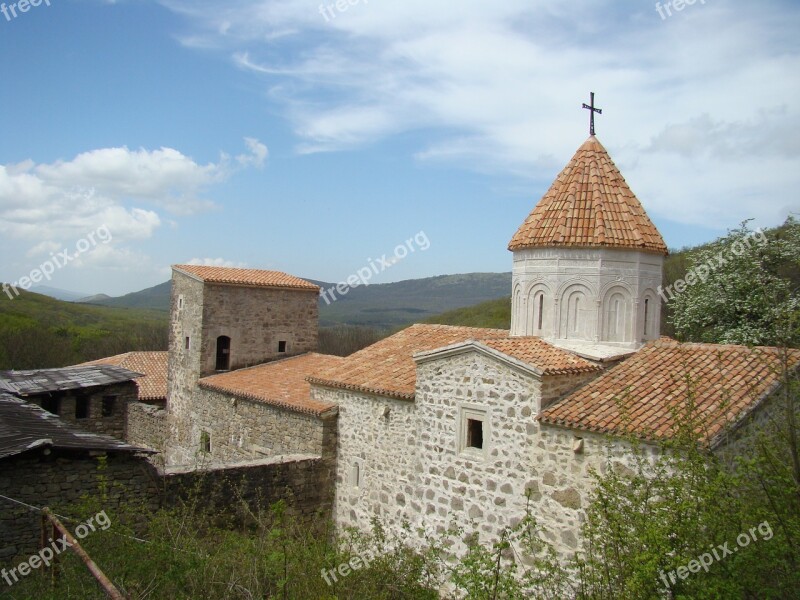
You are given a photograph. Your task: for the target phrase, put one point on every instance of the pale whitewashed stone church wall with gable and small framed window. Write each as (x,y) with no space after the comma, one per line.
(412,469)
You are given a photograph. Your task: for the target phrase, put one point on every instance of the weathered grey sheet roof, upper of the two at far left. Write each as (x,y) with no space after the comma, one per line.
(42,381)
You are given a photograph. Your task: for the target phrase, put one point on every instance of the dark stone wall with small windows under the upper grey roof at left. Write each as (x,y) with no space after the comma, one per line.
(114,424)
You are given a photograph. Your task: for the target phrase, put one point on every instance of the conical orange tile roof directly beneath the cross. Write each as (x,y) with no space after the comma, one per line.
(589,205)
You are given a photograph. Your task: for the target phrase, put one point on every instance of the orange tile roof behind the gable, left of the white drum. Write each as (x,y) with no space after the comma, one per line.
(387,368)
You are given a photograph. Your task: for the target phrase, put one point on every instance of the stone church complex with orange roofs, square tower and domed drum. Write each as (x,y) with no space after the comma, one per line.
(438,425)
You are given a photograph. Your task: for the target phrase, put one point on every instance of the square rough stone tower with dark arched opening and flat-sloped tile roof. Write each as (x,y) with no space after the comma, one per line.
(224,319)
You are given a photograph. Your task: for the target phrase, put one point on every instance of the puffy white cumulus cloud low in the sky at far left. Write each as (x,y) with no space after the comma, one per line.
(125,190)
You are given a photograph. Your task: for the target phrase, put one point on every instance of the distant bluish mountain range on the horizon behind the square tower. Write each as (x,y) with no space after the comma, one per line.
(383,306)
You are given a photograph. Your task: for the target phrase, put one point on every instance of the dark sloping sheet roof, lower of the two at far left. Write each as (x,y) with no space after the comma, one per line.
(25,426)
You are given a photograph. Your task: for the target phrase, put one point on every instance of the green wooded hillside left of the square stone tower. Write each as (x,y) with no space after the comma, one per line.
(38,331)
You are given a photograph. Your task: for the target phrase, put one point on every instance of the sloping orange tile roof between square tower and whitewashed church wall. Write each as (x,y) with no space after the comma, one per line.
(281,383)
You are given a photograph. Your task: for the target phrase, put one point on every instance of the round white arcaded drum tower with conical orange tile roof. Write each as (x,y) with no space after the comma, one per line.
(588,260)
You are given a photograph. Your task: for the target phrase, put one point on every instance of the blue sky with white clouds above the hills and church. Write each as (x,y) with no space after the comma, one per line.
(320,138)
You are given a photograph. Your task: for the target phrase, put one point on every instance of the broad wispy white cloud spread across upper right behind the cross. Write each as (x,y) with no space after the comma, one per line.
(498,86)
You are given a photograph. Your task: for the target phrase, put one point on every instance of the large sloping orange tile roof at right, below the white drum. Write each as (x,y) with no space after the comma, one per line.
(640,395)
